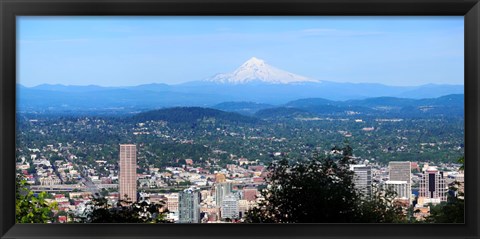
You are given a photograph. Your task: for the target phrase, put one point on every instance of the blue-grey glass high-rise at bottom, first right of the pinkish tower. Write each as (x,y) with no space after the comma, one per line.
(189,206)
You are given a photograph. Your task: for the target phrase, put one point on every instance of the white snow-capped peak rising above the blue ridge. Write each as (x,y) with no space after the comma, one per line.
(257,70)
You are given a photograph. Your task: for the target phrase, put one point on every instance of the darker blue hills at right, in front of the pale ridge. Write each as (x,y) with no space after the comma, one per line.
(445,106)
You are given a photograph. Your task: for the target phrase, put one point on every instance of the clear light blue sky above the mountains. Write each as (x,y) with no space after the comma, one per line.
(125,51)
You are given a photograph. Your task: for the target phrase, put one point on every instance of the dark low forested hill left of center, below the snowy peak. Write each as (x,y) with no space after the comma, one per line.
(193,115)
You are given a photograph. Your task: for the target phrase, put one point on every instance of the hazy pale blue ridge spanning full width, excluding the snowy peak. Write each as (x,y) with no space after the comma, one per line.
(206,94)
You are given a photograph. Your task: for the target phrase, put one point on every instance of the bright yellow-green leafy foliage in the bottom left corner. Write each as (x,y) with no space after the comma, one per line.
(31,207)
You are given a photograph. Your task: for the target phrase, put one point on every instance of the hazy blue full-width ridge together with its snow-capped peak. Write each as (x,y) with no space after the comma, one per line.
(254,81)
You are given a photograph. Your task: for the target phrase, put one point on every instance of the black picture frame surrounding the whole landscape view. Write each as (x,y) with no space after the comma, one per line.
(9,9)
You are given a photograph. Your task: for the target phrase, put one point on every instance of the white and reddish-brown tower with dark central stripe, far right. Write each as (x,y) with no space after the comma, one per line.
(433,186)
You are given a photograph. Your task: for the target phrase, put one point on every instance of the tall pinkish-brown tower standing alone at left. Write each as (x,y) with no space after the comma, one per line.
(128,172)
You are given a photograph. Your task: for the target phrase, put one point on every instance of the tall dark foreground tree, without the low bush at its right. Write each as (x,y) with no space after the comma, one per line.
(317,190)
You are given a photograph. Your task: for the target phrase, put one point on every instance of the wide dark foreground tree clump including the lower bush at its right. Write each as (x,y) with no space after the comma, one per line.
(320,190)
